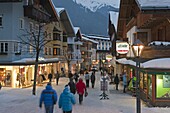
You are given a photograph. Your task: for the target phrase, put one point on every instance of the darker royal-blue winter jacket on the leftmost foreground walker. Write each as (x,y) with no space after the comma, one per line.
(48,96)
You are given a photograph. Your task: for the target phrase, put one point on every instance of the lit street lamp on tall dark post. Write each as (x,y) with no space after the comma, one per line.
(137,49)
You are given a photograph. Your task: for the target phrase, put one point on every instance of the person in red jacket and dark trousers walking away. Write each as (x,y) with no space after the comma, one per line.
(81,89)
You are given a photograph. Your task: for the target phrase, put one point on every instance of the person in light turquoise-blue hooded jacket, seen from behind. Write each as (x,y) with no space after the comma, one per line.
(66,100)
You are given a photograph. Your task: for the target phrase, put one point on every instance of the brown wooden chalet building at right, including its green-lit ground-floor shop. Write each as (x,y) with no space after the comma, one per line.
(149,22)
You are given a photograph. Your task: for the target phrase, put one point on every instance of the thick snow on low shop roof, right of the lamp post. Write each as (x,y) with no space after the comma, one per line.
(162,63)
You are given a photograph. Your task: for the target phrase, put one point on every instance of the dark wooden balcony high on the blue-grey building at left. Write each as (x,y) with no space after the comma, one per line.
(36,14)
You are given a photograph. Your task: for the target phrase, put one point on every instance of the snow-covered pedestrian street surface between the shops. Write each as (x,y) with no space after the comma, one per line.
(22,100)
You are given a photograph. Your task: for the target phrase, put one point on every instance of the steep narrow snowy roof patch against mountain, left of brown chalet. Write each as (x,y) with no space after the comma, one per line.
(114,18)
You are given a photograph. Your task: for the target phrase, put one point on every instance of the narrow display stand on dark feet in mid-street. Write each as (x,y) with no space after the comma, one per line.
(104,88)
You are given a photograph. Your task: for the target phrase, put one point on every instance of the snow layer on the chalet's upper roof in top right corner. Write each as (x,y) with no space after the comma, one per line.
(154,3)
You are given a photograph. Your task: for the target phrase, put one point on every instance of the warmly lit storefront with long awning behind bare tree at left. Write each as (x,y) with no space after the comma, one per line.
(20,74)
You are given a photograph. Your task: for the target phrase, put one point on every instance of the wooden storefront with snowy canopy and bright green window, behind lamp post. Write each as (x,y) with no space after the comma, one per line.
(154,79)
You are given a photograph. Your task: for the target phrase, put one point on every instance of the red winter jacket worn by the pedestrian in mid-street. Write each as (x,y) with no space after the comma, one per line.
(81,87)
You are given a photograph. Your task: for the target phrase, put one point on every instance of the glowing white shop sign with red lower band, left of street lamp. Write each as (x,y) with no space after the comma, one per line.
(122,47)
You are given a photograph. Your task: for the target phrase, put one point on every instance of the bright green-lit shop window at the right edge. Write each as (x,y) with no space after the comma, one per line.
(162,86)
